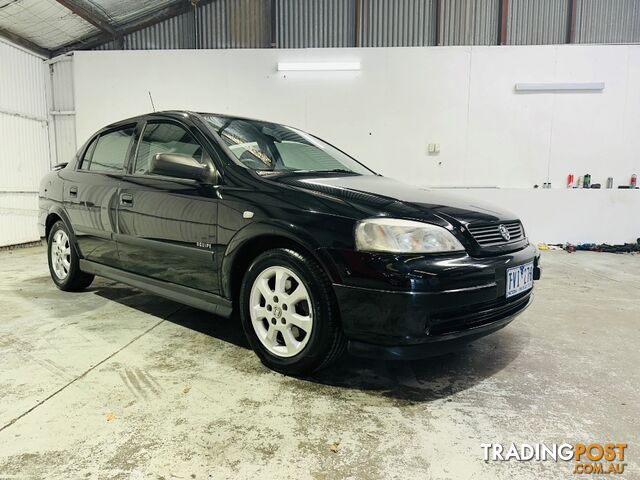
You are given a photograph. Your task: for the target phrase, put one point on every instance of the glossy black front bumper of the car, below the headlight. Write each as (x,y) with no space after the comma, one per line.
(448,302)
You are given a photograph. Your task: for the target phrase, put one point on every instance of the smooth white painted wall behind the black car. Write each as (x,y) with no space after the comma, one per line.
(404,98)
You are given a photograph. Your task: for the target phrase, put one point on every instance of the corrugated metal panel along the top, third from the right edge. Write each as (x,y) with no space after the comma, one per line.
(469,22)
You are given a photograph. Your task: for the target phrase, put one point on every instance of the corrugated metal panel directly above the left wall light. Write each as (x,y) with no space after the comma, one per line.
(315,23)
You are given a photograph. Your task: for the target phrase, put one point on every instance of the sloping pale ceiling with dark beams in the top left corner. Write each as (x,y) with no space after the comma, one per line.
(51,25)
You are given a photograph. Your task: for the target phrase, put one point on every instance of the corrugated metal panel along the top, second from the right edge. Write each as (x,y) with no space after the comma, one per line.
(538,22)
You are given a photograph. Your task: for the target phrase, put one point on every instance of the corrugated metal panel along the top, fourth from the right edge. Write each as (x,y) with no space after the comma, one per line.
(404,23)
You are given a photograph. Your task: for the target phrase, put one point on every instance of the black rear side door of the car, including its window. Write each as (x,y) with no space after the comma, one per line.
(91,193)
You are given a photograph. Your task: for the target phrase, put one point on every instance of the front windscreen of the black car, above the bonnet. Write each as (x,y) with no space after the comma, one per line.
(268,146)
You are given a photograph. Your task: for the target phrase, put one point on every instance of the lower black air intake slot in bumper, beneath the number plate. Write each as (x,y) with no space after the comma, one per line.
(478,315)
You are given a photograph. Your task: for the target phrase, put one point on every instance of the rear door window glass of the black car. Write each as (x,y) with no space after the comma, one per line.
(109,151)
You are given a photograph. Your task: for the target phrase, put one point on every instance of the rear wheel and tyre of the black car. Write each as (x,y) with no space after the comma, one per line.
(64,266)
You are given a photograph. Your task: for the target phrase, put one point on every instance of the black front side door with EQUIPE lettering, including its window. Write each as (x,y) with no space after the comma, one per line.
(168,225)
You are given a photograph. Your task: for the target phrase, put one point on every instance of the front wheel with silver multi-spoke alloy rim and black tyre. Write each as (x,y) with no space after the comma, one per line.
(289,313)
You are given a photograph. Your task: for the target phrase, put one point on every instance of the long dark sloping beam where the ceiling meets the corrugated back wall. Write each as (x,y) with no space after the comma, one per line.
(148,20)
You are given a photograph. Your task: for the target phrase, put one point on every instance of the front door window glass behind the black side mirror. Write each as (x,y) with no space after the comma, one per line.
(164,138)
